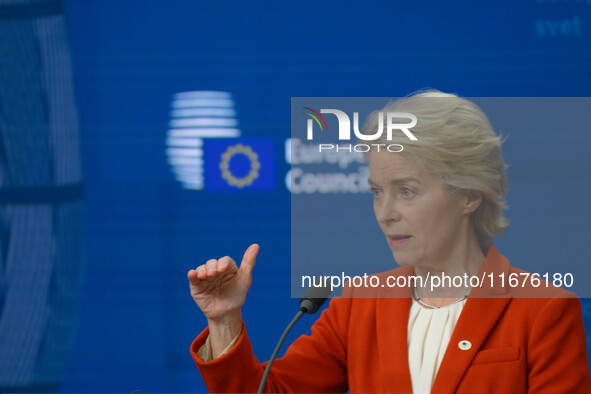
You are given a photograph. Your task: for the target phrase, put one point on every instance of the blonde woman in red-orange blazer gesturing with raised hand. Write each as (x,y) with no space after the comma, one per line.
(438,203)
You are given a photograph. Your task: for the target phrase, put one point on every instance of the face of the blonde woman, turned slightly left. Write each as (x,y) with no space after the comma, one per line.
(423,224)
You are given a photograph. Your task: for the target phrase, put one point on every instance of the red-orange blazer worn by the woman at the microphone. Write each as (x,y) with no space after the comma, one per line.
(519,345)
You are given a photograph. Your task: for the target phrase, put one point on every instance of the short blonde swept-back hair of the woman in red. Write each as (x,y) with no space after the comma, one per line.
(455,142)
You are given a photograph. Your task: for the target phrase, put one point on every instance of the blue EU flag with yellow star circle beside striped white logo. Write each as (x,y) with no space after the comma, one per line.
(239,164)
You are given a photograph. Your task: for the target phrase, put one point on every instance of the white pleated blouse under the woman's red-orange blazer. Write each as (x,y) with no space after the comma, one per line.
(429,332)
